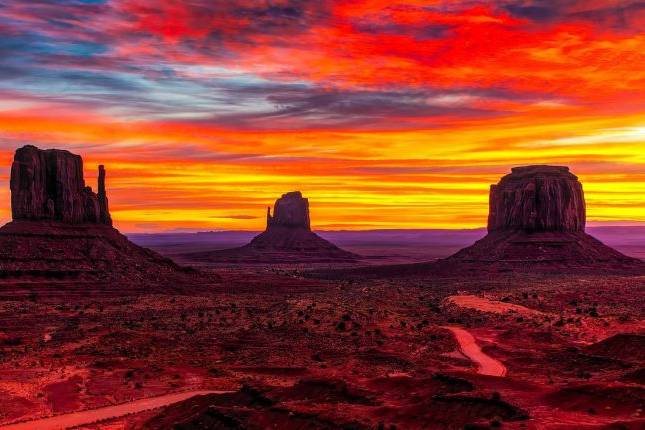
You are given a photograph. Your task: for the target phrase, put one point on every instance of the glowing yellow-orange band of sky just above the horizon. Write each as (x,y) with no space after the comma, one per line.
(354,180)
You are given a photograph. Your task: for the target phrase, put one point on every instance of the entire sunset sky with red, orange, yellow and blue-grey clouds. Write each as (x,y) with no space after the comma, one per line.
(385,114)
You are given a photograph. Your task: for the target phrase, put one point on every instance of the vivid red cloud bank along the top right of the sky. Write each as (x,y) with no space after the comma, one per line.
(558,48)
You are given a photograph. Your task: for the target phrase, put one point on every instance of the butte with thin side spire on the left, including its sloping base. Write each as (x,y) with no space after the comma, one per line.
(62,234)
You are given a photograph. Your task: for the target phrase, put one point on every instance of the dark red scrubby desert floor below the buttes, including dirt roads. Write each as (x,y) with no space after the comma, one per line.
(268,348)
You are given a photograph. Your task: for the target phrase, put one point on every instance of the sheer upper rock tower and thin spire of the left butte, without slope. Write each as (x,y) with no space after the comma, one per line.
(49,185)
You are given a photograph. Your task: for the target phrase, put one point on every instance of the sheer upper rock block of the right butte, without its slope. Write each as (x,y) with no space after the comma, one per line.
(537,199)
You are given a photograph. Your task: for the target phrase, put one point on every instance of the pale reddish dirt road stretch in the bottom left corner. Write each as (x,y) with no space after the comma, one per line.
(75,419)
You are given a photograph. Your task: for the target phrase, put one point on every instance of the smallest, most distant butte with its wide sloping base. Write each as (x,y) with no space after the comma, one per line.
(287,239)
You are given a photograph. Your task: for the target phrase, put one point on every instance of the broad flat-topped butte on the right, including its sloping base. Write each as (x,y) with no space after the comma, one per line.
(536,221)
